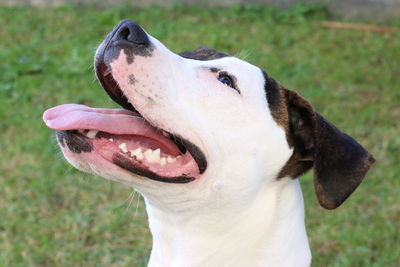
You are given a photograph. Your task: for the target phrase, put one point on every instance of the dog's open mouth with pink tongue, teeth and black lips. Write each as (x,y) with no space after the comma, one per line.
(124,137)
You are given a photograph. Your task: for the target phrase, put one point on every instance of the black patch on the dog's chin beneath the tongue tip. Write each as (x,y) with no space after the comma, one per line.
(73,141)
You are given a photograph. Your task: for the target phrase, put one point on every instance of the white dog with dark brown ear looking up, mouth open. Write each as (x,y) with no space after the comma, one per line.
(214,145)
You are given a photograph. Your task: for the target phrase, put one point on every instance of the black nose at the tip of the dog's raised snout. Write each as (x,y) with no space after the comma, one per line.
(131,32)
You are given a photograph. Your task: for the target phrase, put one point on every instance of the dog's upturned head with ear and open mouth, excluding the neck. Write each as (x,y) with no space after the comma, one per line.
(201,126)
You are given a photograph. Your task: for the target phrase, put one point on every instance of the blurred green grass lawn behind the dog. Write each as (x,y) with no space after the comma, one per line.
(53,215)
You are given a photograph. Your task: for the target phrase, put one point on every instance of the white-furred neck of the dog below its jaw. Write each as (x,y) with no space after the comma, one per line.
(269,231)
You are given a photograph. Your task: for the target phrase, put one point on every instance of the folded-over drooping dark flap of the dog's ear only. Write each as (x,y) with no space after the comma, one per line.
(340,164)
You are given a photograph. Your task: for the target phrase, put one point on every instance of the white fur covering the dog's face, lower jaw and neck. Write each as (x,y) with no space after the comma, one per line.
(237,213)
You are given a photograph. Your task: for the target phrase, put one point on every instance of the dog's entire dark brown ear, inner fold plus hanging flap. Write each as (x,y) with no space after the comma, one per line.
(339,162)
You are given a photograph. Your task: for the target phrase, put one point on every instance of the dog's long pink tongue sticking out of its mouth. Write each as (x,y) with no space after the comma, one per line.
(114,121)
